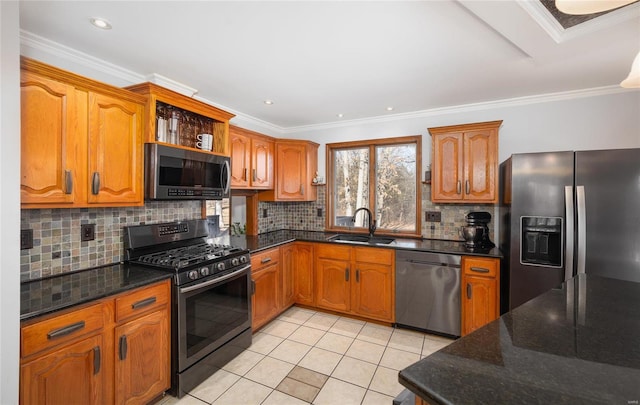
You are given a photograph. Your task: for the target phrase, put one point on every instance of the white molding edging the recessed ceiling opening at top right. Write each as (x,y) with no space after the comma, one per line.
(560,34)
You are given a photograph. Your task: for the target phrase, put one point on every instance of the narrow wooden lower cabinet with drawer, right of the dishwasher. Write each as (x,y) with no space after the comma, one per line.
(480,292)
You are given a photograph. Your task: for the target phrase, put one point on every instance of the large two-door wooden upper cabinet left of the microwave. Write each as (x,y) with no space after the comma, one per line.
(81,141)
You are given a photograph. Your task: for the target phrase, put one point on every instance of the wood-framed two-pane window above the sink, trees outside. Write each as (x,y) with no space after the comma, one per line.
(381,175)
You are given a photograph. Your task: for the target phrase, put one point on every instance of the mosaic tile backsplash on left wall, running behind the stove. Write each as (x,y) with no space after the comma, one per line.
(56,235)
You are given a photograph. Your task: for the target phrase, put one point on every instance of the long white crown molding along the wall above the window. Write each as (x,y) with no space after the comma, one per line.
(504,103)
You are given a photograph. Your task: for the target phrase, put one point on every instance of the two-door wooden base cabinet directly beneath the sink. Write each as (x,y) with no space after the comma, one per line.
(356,280)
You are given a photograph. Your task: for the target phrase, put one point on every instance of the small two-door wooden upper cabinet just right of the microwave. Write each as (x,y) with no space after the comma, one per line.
(252,156)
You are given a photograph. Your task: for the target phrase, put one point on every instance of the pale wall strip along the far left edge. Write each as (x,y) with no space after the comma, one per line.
(10,201)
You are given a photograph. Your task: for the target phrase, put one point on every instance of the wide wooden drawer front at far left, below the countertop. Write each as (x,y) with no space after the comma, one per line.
(55,331)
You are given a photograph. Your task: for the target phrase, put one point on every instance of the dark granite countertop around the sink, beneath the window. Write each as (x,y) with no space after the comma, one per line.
(272,239)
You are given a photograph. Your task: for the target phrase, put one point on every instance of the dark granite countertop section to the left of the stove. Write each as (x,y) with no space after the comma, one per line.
(40,297)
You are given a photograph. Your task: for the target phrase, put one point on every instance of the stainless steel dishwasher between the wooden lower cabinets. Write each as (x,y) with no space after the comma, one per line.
(428,291)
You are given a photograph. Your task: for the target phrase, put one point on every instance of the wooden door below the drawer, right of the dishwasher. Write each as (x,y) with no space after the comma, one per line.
(480,302)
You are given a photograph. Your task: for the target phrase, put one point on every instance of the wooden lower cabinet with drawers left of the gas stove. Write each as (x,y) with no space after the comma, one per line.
(71,357)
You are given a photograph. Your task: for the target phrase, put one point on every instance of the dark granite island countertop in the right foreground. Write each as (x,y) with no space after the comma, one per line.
(576,345)
